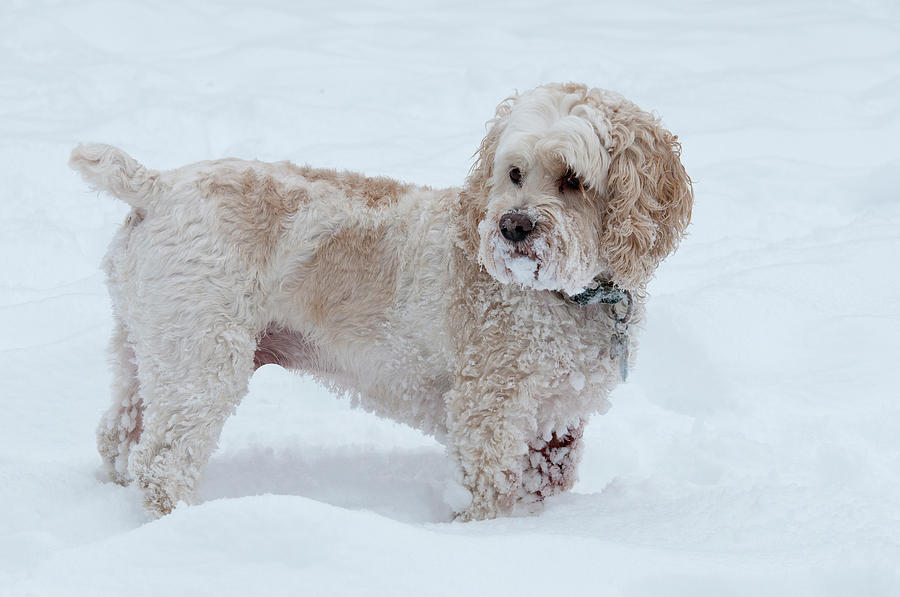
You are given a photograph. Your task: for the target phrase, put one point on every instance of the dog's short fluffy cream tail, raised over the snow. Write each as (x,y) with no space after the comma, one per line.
(108,168)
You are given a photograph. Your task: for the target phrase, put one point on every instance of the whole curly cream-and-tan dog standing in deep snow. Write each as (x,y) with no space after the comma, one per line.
(496,317)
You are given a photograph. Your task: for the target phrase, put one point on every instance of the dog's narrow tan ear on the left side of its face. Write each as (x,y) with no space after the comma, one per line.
(473,198)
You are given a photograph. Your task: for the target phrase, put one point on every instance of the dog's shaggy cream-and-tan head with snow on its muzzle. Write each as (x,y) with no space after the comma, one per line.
(572,184)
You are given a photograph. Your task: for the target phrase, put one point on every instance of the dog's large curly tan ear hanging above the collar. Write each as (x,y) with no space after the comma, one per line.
(649,195)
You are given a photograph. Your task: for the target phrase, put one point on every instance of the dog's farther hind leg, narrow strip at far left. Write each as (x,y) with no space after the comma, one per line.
(120,428)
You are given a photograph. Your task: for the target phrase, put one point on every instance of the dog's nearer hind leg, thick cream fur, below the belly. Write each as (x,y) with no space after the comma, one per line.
(192,383)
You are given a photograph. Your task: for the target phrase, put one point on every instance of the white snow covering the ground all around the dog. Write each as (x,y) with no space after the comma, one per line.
(754,451)
